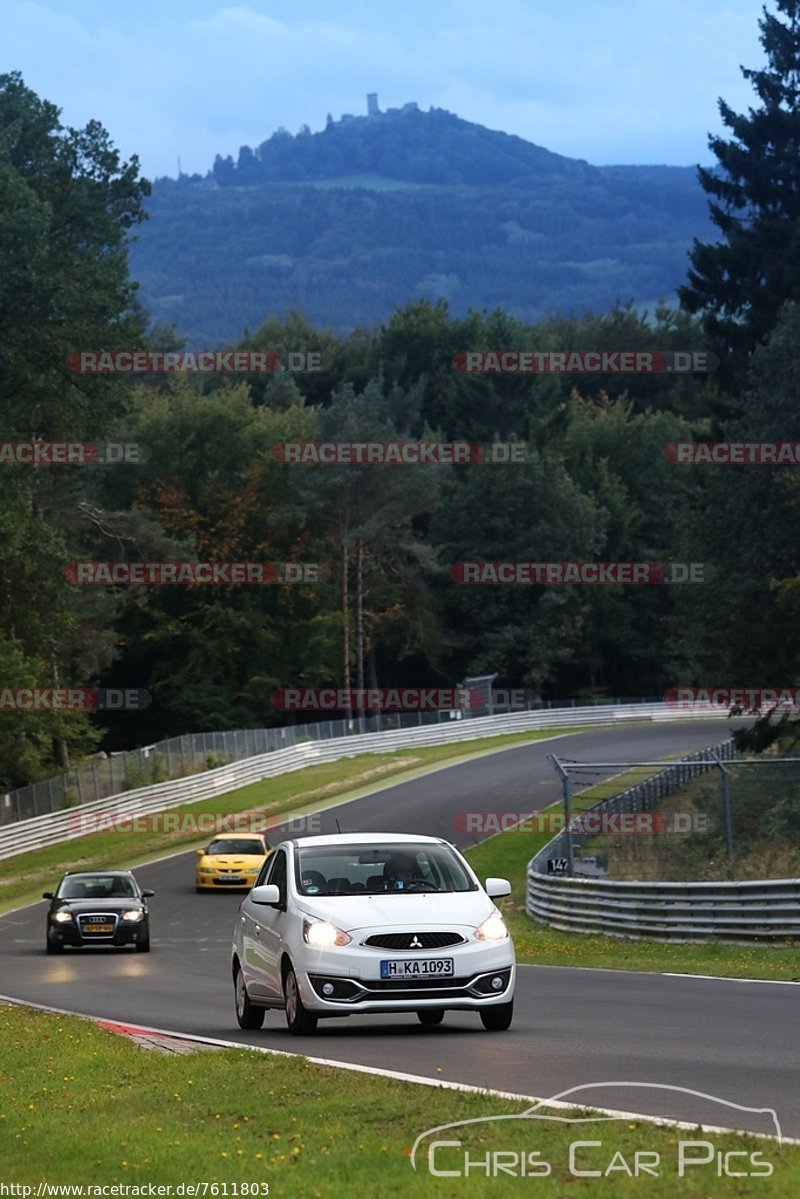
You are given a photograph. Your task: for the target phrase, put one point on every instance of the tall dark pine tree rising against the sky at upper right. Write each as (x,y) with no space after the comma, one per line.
(741,282)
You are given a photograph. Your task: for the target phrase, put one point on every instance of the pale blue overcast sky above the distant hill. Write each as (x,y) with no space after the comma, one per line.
(625,82)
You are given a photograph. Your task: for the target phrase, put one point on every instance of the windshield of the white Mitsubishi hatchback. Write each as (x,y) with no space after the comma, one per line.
(372,870)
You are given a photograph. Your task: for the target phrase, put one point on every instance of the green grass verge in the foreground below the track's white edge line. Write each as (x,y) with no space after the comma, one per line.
(82,1106)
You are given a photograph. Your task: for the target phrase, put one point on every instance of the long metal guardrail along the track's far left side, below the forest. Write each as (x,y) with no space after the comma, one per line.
(61,827)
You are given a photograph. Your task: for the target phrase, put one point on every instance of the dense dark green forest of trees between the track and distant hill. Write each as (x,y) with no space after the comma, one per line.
(598,485)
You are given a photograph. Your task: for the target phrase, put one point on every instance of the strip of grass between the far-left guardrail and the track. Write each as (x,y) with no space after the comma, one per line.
(25,877)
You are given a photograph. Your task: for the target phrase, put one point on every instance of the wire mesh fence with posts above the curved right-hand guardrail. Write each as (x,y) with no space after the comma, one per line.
(714,816)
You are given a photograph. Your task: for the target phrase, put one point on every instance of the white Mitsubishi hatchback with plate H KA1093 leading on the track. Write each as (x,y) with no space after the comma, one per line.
(371,924)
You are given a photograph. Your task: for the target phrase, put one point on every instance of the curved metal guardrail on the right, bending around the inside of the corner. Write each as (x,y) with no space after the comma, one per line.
(767,911)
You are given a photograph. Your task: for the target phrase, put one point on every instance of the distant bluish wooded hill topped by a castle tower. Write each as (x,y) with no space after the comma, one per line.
(377,210)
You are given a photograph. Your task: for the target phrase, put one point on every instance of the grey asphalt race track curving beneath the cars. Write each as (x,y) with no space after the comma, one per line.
(735,1041)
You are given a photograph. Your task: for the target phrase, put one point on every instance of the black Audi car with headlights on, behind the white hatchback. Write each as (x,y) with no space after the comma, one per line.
(98,908)
